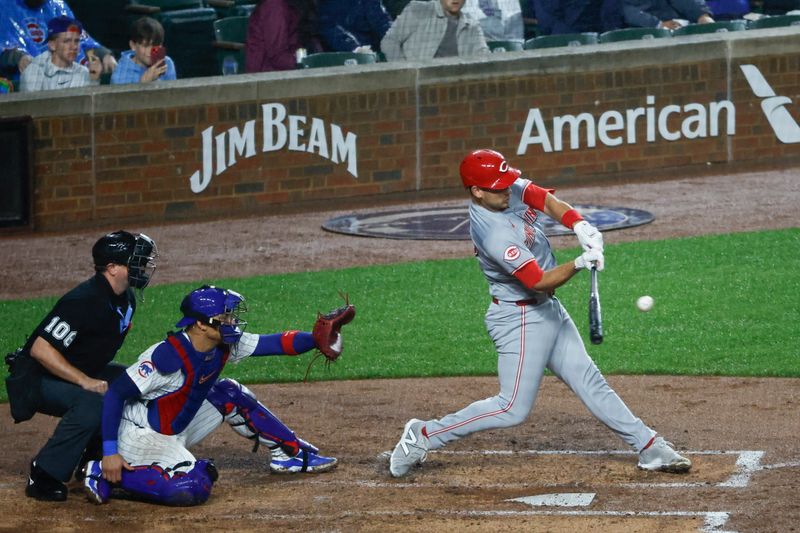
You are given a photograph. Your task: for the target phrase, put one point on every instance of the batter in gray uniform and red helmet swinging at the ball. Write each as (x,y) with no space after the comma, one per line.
(530,328)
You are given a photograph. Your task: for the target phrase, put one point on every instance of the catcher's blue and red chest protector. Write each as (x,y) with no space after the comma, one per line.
(171,413)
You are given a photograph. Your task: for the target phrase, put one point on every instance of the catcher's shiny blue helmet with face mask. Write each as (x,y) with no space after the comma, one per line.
(216,307)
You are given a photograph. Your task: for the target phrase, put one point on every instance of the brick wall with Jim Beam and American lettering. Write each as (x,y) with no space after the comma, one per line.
(128,153)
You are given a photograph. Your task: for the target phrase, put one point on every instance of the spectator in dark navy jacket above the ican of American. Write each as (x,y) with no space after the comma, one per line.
(669,14)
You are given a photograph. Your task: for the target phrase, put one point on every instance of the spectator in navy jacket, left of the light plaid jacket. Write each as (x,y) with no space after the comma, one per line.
(352,25)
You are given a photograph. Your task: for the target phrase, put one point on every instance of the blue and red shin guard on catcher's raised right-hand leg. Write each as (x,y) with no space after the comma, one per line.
(251,419)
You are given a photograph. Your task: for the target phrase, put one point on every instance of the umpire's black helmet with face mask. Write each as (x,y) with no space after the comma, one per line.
(136,251)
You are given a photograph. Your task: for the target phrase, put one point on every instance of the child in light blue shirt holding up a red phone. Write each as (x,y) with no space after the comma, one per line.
(146,61)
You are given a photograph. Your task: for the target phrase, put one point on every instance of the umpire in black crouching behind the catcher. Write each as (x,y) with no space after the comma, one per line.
(65,366)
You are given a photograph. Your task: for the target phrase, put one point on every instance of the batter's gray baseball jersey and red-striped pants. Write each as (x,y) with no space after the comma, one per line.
(531,331)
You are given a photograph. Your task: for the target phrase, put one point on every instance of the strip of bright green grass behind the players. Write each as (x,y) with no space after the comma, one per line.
(724,305)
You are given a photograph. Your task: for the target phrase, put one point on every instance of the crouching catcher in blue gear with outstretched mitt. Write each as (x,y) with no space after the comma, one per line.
(172,398)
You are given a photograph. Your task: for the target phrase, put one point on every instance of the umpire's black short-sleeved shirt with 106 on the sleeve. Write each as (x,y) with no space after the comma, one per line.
(88,324)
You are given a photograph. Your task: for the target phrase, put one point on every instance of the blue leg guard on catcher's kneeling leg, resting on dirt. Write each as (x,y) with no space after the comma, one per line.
(180,489)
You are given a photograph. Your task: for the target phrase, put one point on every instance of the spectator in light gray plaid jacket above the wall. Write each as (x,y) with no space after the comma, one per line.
(433,28)
